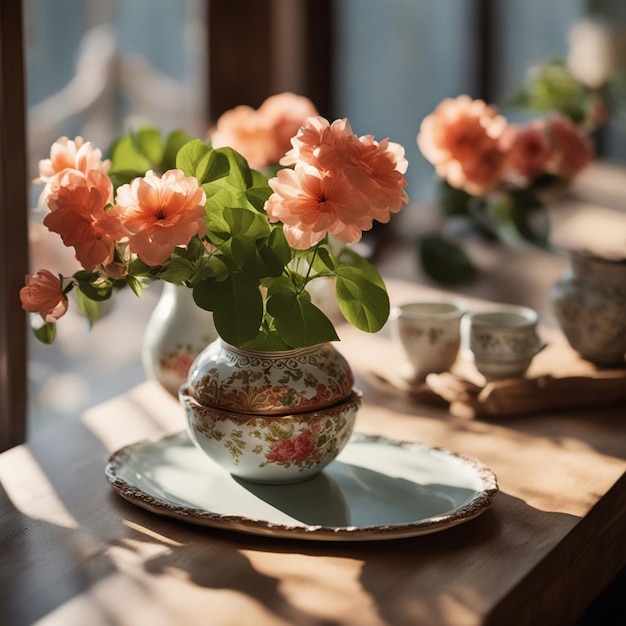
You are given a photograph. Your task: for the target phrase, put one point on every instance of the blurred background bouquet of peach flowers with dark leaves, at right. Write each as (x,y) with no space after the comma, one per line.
(500,175)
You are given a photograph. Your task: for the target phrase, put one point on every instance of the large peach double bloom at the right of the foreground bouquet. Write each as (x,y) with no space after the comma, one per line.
(339,185)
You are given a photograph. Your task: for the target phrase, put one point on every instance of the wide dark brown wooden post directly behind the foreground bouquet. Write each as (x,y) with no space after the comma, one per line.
(245,37)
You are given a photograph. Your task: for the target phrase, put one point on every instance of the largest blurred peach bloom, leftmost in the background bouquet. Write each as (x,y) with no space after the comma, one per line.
(462,138)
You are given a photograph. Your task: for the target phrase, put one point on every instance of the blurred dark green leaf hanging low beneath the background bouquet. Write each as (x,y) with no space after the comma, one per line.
(444,261)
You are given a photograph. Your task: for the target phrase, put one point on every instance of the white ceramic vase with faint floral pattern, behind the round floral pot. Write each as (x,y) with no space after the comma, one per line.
(177,331)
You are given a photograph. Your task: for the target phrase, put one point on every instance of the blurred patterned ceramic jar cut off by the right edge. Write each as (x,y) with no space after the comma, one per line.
(590,305)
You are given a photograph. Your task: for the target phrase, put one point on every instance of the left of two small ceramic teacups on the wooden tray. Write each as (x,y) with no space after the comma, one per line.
(429,333)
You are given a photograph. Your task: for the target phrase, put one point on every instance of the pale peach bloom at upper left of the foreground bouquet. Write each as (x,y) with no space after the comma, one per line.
(75,154)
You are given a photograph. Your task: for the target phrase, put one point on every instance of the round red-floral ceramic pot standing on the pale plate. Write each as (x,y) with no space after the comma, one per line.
(270,417)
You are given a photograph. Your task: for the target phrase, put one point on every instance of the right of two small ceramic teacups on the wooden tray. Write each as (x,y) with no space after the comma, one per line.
(504,341)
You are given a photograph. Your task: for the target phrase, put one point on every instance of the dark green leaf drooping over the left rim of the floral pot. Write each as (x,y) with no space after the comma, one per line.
(237,307)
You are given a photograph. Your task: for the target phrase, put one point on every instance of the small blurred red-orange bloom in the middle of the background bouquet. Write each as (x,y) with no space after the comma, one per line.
(528,151)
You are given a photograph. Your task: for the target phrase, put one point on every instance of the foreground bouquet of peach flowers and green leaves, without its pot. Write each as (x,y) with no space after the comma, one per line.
(248,244)
